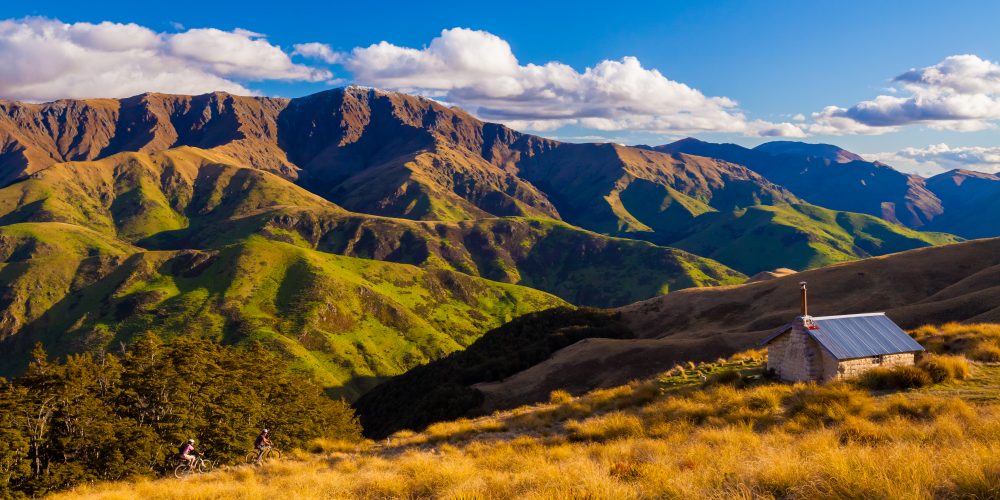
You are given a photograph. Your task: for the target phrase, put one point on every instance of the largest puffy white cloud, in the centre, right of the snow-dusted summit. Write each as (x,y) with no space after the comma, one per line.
(479,71)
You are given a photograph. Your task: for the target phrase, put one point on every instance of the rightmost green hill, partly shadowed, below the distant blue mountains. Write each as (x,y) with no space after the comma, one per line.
(799,236)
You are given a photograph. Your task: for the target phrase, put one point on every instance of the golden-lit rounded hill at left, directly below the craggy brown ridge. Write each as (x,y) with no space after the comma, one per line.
(135,195)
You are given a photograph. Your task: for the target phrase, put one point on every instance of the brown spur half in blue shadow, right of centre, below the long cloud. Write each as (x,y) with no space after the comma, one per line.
(622,190)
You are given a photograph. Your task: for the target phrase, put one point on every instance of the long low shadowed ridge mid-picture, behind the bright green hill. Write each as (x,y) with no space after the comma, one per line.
(582,267)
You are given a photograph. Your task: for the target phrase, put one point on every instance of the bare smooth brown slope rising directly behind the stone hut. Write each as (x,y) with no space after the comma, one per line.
(959,282)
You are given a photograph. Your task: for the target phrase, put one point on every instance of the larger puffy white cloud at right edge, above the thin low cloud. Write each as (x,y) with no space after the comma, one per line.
(960,93)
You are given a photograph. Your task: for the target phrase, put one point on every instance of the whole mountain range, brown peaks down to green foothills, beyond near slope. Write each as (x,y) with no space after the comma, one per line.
(361,232)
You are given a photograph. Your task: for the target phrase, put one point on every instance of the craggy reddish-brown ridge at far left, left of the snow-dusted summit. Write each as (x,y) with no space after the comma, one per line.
(36,136)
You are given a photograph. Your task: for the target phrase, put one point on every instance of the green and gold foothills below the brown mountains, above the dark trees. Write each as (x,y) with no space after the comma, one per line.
(189,241)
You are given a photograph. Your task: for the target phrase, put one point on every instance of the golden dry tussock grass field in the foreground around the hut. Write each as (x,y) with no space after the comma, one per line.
(710,430)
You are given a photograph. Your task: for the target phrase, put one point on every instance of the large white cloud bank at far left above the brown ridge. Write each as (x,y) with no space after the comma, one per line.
(45,59)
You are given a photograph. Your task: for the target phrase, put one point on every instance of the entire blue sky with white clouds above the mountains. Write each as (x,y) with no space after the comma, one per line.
(915,84)
